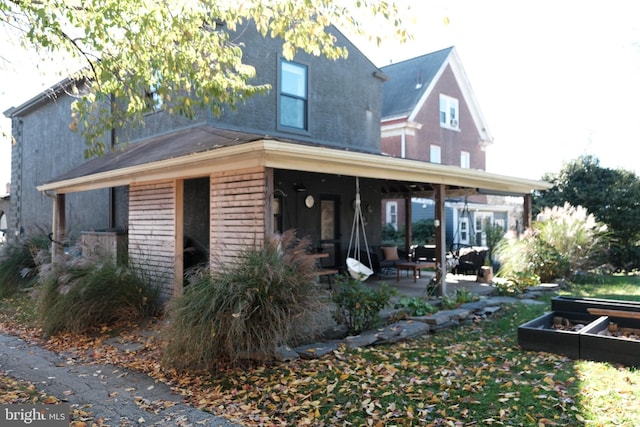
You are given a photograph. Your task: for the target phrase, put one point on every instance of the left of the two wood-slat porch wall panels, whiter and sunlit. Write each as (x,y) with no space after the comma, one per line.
(152,232)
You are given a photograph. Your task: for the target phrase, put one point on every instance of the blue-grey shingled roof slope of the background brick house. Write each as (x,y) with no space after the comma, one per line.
(408,80)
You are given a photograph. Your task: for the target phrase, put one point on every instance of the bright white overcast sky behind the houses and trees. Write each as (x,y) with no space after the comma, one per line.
(554,79)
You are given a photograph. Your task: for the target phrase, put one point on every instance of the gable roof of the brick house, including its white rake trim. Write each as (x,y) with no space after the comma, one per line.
(411,82)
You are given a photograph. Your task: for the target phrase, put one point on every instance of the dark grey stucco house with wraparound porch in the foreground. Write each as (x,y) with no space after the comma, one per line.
(286,159)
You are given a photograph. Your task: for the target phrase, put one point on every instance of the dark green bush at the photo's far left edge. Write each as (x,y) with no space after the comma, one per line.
(18,268)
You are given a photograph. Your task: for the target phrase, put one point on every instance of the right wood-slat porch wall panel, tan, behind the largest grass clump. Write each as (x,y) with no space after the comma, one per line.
(238,206)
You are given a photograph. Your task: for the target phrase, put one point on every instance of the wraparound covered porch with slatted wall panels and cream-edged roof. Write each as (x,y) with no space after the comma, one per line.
(241,177)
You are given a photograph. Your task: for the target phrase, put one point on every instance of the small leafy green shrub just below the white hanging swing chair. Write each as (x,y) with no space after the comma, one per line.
(358,306)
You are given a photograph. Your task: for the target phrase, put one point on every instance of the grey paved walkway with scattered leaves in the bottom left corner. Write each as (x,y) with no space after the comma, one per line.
(120,396)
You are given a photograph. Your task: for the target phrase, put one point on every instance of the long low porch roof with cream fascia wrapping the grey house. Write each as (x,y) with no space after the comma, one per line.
(201,150)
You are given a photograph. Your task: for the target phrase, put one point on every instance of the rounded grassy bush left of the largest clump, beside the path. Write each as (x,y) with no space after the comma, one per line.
(81,294)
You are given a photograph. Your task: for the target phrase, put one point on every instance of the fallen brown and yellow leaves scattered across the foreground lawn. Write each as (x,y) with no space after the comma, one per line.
(467,376)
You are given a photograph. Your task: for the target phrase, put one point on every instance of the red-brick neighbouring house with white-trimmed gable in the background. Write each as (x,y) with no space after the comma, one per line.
(430,113)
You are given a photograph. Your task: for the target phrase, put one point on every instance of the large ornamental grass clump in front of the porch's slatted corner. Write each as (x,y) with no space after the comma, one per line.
(247,309)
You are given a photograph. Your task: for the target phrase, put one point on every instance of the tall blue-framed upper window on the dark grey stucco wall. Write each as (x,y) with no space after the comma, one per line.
(293,95)
